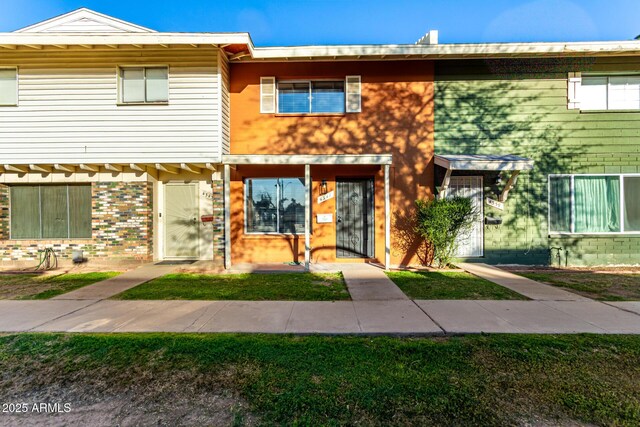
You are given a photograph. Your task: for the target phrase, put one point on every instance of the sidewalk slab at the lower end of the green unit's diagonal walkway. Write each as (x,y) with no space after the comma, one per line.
(611,319)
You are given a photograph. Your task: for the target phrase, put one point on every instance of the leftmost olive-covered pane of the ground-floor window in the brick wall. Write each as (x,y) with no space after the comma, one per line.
(25,212)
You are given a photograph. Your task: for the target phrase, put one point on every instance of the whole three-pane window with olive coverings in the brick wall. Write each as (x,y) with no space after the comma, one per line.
(50,212)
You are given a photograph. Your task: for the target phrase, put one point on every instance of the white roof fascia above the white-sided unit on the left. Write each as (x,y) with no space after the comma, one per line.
(52,39)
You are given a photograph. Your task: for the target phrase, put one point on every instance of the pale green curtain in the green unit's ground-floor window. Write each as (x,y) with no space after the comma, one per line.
(597,204)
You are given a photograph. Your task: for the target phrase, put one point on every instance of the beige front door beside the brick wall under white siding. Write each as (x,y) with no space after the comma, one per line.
(181,220)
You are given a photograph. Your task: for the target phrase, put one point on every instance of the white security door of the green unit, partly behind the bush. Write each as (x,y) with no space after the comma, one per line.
(470,243)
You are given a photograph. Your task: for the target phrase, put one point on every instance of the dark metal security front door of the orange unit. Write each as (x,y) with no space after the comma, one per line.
(354,227)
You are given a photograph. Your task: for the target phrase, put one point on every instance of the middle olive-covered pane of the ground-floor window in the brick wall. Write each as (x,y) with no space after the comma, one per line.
(53,200)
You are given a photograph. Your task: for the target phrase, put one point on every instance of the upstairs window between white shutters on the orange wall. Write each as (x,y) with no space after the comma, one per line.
(311,97)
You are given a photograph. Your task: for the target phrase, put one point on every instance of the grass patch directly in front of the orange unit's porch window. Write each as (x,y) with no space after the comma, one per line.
(250,287)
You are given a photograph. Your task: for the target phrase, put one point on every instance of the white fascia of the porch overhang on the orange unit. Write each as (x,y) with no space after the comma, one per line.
(307,159)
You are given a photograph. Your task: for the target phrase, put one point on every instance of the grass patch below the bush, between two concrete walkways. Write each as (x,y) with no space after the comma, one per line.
(449,285)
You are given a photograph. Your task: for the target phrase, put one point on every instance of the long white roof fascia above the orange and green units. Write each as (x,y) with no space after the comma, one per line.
(448,50)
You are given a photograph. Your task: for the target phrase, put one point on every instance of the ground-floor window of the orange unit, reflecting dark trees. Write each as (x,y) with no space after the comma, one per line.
(274,205)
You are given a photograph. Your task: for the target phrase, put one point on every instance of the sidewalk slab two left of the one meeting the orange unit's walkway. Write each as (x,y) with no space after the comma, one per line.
(250,316)
